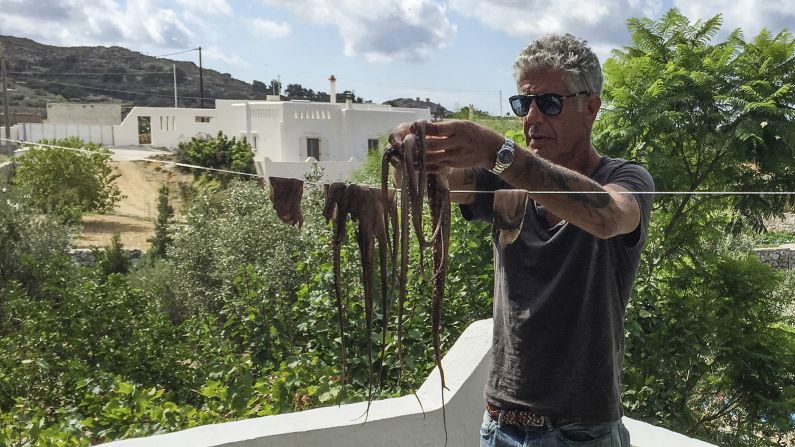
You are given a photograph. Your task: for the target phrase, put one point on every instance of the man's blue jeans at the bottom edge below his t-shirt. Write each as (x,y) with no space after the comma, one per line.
(611,434)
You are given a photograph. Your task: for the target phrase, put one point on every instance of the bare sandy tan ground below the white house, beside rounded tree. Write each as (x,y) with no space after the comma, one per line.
(134,216)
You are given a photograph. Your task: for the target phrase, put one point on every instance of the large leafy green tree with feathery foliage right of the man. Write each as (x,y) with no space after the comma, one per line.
(707,351)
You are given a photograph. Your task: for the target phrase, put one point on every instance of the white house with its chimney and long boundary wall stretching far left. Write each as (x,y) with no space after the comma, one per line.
(287,136)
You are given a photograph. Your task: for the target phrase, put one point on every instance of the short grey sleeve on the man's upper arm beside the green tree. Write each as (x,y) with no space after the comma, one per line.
(635,178)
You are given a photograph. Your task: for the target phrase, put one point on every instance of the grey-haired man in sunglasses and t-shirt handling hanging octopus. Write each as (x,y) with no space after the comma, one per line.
(562,287)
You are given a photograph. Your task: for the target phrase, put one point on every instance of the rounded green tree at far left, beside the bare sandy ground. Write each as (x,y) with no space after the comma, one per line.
(68,180)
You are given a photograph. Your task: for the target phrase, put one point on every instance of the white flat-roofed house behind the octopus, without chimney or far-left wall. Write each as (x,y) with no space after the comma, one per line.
(287,136)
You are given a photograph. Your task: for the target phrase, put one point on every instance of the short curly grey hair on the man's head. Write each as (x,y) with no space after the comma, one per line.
(565,53)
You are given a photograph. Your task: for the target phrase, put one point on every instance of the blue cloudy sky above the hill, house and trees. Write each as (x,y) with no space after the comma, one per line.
(454,52)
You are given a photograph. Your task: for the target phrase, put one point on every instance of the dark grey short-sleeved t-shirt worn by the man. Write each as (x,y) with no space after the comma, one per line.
(559,300)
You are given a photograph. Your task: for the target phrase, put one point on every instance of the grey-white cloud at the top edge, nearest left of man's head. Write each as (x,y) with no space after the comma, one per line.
(381,30)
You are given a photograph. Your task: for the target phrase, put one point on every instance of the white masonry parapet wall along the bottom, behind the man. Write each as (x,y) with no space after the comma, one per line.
(391,422)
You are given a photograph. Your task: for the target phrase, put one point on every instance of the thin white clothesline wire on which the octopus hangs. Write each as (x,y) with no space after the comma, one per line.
(226,171)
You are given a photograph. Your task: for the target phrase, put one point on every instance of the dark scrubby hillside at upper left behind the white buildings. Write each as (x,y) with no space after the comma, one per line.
(41,73)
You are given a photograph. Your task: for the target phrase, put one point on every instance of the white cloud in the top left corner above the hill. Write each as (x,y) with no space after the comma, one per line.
(99,22)
